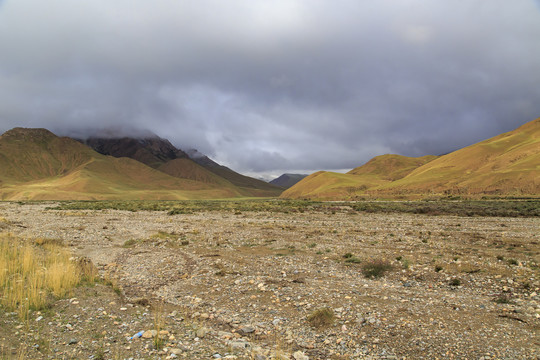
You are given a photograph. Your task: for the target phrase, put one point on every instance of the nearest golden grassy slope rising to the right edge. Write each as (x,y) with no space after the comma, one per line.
(508,164)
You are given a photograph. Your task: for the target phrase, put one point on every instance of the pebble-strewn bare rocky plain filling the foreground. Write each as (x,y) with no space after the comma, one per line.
(237,285)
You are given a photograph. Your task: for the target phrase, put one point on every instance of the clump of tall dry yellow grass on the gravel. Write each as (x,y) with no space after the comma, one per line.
(29,275)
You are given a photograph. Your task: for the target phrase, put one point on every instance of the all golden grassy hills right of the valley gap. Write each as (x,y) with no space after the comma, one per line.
(505,165)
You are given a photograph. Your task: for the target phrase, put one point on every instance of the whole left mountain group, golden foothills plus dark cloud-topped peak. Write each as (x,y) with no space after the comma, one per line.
(36,165)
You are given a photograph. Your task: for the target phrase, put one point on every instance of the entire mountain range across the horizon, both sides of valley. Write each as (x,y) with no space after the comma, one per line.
(35,164)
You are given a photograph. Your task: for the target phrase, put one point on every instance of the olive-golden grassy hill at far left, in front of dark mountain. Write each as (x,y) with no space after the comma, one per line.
(37,164)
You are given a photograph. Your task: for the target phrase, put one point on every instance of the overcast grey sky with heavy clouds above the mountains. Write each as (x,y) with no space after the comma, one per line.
(273,86)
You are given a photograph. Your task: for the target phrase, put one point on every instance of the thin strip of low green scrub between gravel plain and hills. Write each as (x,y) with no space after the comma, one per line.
(498,208)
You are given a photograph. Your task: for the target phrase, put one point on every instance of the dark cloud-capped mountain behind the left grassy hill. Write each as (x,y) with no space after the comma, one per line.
(160,154)
